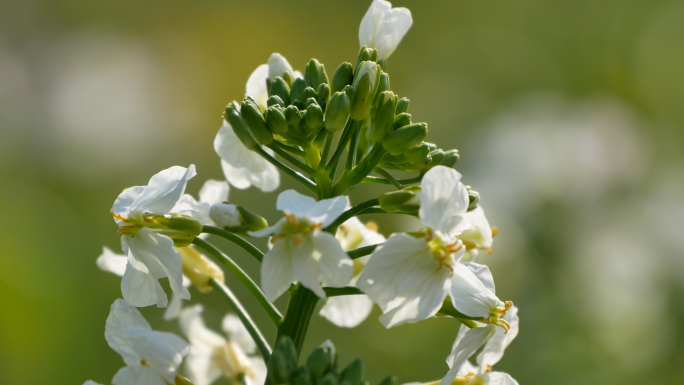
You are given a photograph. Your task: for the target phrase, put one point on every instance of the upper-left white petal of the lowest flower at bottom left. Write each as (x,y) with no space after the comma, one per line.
(121,317)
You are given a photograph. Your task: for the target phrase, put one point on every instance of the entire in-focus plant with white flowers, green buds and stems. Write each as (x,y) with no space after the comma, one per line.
(330,134)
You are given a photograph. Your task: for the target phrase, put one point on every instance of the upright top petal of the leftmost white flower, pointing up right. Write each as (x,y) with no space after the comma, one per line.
(163,190)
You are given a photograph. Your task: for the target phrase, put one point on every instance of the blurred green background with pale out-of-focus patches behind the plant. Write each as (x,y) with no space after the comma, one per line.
(568,116)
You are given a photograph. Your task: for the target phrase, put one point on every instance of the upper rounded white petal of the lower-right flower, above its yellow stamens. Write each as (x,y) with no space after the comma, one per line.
(469,295)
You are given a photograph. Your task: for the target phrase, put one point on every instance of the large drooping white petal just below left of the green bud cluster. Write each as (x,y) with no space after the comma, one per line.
(242,167)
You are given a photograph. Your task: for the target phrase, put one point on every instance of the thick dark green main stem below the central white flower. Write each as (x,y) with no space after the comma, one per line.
(299,311)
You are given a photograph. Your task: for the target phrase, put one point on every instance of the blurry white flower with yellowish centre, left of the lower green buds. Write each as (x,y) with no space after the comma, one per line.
(212,356)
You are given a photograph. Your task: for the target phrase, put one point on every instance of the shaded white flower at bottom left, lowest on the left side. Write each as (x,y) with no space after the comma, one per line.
(150,355)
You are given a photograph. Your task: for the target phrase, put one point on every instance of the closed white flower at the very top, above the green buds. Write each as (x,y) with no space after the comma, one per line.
(383,27)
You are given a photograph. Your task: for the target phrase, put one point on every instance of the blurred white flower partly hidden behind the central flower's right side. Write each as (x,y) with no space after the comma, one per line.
(350,310)
